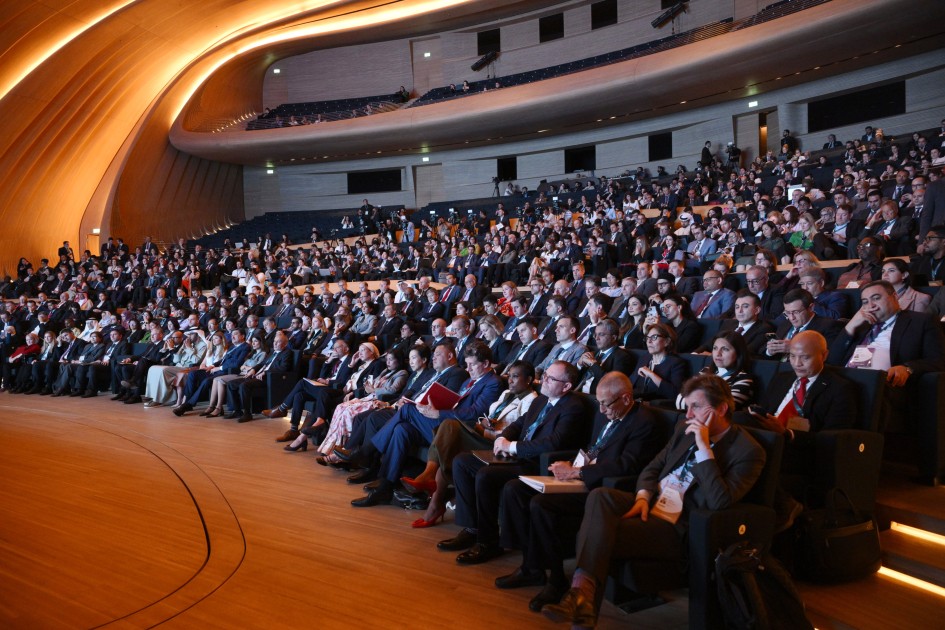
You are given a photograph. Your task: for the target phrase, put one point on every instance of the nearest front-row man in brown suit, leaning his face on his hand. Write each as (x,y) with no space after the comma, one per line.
(709,463)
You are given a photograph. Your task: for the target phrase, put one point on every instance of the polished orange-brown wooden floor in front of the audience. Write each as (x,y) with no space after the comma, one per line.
(118,516)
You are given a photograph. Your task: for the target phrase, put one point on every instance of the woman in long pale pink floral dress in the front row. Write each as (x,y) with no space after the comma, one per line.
(376,392)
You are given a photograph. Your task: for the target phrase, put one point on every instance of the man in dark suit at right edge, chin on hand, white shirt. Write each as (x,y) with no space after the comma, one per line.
(881,336)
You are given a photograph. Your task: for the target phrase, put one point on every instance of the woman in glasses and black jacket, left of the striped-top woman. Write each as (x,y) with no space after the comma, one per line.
(661,373)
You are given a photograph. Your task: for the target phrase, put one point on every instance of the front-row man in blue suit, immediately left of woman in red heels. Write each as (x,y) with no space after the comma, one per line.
(413,425)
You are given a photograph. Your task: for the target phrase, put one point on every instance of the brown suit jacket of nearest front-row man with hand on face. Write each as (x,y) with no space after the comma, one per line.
(718,483)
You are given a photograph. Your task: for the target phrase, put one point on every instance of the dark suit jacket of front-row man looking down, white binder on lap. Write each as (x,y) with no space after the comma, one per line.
(633,444)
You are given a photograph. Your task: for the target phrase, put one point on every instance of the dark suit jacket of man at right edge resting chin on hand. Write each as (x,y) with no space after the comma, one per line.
(917,342)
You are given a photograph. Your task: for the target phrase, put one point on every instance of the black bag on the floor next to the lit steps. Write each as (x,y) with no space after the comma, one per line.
(836,543)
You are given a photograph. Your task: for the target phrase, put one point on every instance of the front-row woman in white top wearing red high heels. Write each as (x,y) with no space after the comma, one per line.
(452,438)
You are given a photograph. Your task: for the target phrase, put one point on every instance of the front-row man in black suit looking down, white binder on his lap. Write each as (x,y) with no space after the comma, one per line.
(626,437)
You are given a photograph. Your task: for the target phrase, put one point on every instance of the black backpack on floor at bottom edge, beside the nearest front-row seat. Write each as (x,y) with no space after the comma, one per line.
(755,592)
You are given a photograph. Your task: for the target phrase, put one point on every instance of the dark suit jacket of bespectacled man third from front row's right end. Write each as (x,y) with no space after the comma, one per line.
(563,427)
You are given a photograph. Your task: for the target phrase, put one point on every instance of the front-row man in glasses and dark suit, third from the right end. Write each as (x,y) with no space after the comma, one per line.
(554,421)
